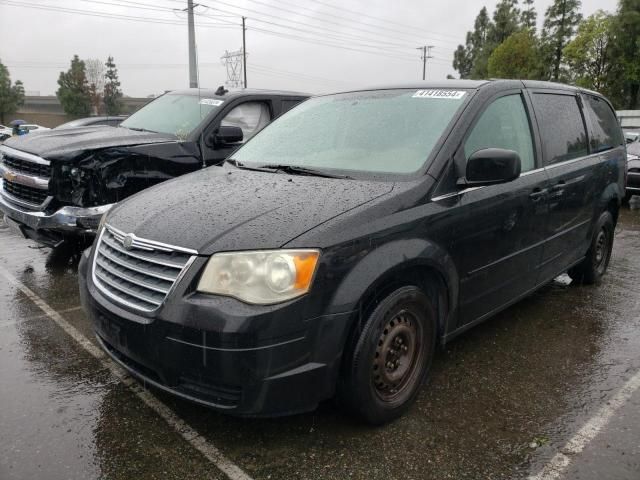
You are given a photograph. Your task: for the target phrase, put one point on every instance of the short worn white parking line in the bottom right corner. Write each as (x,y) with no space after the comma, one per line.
(561,460)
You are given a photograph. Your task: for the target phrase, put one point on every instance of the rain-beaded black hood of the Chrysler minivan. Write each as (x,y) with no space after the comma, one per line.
(224,208)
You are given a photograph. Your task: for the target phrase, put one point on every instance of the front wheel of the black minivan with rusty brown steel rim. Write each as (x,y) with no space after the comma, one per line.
(389,361)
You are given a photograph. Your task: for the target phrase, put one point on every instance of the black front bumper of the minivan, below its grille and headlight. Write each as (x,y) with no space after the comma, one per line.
(220,357)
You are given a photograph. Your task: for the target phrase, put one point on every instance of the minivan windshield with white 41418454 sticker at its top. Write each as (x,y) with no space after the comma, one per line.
(383,131)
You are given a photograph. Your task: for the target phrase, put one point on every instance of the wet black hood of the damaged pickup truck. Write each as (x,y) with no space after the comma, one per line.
(56,143)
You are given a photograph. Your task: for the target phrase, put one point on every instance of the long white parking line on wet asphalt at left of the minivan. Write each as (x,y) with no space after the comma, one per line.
(197,441)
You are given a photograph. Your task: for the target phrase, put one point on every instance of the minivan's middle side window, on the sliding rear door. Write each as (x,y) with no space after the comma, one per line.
(561,127)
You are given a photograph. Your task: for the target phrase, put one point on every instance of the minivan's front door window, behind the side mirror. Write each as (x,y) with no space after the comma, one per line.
(504,124)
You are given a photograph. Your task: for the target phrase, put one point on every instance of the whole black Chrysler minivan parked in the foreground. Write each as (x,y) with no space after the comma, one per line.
(340,245)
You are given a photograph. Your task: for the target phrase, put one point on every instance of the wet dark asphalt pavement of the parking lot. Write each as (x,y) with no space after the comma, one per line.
(502,399)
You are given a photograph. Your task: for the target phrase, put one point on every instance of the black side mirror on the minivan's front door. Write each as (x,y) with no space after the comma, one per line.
(491,166)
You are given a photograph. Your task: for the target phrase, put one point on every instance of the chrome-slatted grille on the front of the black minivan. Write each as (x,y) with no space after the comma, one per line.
(136,272)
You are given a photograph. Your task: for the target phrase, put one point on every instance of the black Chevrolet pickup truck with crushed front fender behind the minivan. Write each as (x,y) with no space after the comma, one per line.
(57,185)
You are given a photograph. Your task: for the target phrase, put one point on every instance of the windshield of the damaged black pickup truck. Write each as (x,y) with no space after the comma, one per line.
(176,114)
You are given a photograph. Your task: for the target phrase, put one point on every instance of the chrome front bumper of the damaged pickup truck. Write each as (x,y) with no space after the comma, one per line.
(52,228)
